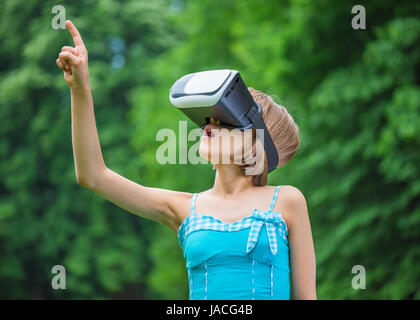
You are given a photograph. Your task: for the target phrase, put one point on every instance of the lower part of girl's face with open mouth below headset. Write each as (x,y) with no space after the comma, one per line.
(220,145)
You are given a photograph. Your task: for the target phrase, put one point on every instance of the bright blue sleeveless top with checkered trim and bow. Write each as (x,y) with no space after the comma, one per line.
(244,260)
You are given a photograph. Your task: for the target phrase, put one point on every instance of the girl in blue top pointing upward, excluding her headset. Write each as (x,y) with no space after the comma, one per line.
(241,239)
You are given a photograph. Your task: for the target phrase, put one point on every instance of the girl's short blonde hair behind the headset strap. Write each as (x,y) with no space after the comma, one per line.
(283,131)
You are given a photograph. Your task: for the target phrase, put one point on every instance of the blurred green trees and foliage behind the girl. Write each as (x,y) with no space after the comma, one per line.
(355,94)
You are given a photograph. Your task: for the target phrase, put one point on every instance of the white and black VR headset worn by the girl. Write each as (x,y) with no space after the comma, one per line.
(221,95)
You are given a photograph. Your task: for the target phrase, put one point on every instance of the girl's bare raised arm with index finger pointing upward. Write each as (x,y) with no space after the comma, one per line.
(164,206)
